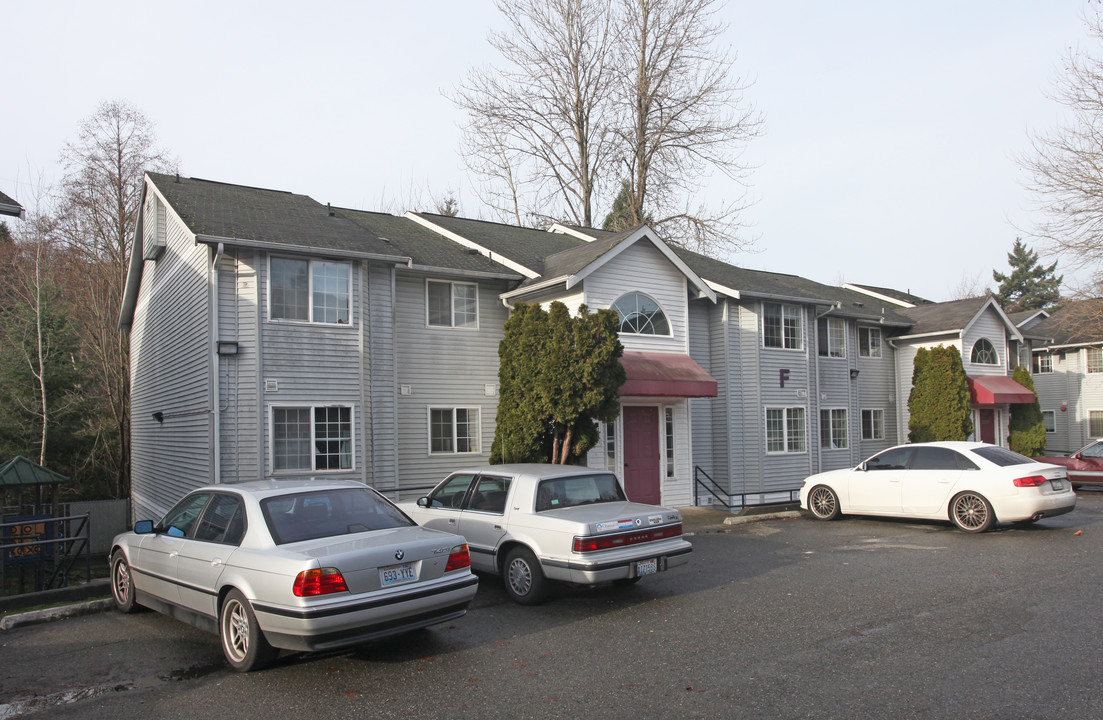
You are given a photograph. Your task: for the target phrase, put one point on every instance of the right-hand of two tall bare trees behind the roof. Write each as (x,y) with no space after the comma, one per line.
(687,119)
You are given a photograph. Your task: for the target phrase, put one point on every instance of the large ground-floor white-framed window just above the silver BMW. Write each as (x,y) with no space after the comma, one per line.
(312,438)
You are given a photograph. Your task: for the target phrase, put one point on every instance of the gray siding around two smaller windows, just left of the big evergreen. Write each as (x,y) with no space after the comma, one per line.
(446,368)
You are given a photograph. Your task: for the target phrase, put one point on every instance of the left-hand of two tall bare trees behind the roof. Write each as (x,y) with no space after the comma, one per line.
(543,121)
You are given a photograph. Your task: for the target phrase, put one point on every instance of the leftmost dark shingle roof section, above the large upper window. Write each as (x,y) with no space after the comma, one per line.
(264,217)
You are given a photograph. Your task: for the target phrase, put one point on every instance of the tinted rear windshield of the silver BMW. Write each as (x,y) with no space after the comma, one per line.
(329,513)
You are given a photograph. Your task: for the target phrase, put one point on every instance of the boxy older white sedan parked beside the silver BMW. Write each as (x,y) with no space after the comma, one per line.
(534,523)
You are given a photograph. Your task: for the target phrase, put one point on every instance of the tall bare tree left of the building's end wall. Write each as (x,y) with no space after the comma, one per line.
(99,209)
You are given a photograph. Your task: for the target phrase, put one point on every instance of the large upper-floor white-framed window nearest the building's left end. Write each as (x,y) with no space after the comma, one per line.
(309,291)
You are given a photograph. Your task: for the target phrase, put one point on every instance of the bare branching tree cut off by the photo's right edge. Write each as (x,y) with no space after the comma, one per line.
(1067,166)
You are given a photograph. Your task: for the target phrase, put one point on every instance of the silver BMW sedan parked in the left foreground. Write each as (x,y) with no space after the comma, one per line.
(303,565)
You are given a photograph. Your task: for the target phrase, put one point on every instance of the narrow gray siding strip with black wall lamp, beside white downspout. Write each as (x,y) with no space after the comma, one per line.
(241,421)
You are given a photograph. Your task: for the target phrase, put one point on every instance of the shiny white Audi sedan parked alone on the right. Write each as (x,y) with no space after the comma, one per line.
(972,485)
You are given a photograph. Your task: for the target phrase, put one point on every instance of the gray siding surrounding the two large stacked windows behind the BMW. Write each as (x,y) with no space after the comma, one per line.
(313,364)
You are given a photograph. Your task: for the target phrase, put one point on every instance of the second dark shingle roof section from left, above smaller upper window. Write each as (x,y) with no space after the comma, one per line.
(424,246)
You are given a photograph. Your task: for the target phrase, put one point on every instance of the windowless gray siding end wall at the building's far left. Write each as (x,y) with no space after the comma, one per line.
(170,373)
